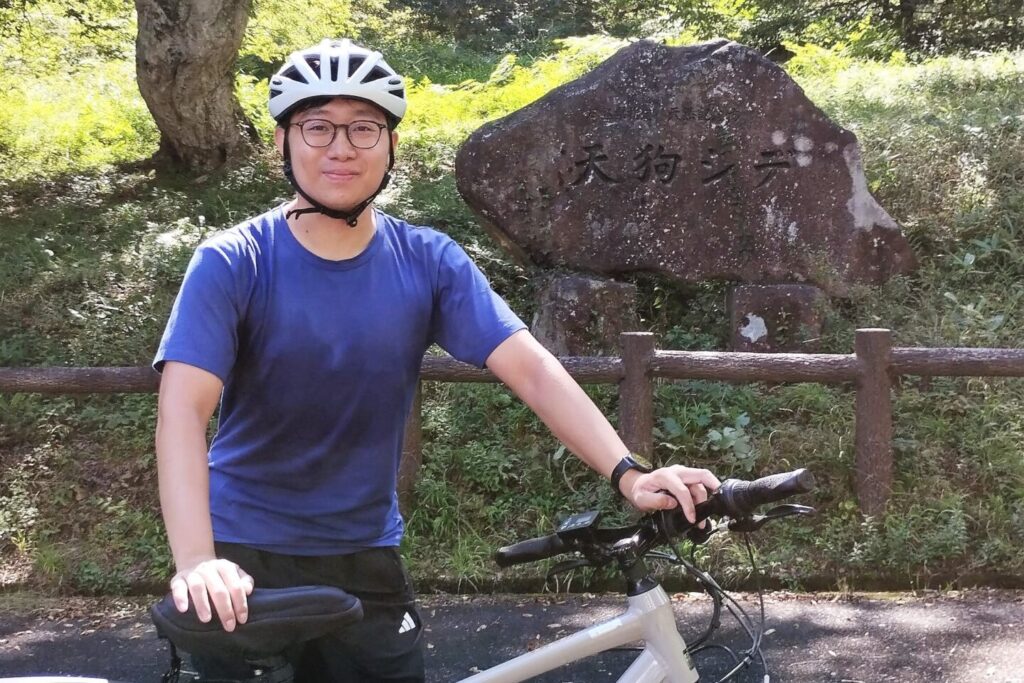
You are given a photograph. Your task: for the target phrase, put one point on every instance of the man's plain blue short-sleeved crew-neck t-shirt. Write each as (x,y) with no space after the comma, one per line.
(320,362)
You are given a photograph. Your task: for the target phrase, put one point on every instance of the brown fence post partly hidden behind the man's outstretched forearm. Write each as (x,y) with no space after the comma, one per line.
(636,393)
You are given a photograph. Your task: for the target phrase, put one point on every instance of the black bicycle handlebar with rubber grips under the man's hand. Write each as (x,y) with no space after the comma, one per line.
(736,499)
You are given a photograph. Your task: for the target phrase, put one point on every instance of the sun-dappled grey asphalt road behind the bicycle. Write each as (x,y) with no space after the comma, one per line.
(975,636)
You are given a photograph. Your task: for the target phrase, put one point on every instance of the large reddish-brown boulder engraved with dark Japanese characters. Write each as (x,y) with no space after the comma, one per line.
(699,163)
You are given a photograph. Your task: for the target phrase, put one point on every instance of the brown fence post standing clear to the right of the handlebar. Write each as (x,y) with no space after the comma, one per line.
(874,477)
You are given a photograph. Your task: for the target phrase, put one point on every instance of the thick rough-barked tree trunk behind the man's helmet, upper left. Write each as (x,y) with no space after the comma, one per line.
(185,64)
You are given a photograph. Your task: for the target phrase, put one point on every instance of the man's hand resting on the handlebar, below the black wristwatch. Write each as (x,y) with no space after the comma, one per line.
(651,492)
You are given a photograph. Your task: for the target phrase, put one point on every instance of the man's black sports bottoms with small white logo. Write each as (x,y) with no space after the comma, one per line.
(387,646)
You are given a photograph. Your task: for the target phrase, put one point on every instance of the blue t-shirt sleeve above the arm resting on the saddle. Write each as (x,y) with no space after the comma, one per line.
(202,330)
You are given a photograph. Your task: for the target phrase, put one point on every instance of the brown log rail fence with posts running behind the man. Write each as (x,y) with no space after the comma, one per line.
(873,368)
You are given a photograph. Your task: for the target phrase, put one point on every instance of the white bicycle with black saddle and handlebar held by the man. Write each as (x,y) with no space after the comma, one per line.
(280,619)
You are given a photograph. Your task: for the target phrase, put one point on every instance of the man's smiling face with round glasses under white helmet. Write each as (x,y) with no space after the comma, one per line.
(339,176)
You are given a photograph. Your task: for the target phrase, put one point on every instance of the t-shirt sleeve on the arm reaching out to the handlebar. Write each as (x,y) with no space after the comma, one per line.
(470,319)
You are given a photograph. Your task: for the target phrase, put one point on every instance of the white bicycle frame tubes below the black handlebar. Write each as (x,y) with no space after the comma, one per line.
(649,618)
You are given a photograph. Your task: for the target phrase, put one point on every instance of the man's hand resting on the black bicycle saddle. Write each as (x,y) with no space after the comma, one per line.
(222,582)
